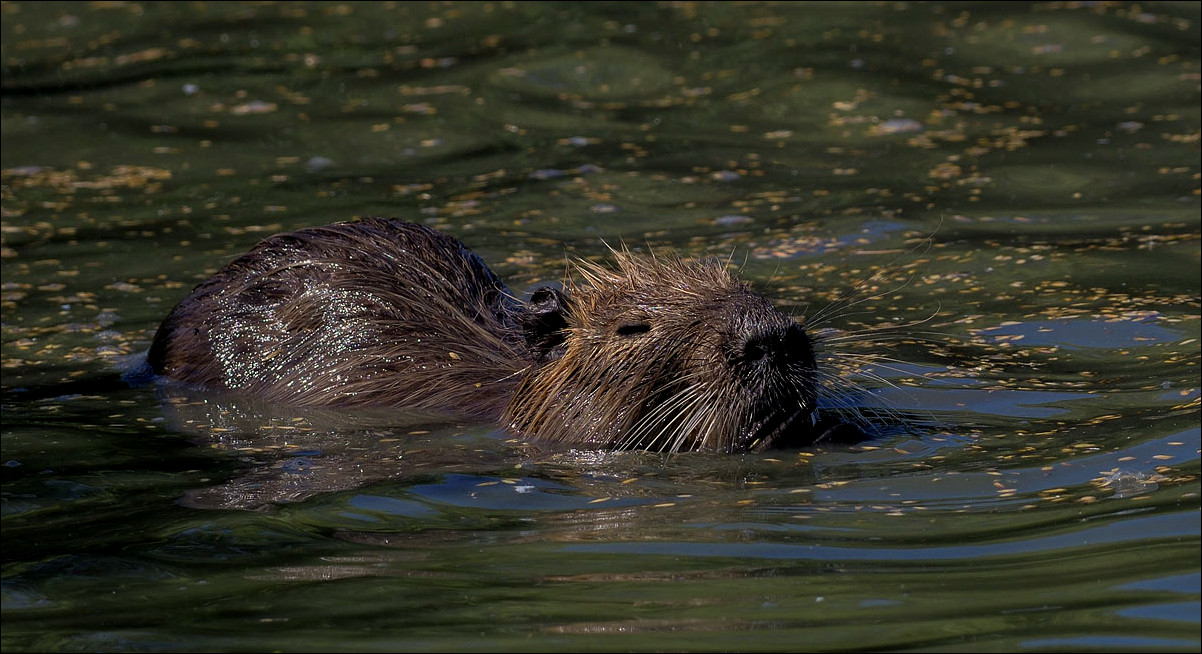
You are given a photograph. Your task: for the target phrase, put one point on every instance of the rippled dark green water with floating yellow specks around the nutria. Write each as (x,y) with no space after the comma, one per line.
(1015,188)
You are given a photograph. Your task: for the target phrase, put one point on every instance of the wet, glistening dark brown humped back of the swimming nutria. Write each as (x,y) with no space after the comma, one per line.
(376,313)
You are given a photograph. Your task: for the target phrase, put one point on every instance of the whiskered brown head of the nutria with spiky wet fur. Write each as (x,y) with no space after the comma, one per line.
(665,355)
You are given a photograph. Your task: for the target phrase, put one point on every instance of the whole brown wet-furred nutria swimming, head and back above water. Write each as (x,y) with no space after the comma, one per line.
(657,354)
